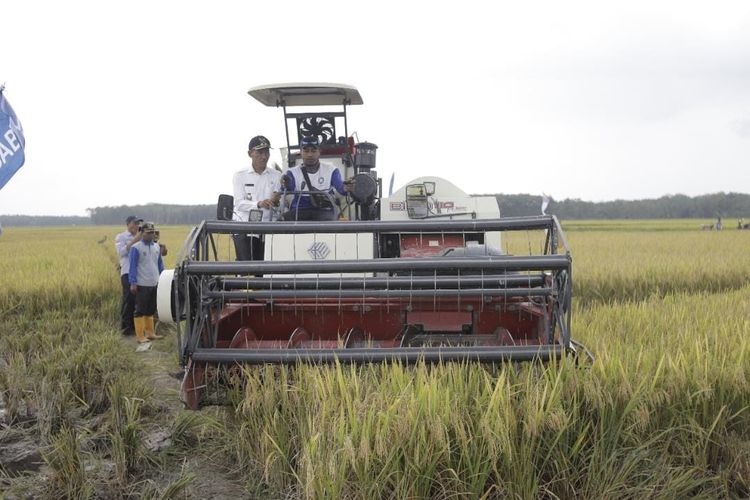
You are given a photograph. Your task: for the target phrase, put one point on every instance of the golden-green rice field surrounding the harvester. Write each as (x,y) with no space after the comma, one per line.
(663,411)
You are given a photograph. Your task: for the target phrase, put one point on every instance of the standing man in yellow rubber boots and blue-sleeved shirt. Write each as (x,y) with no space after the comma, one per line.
(145,267)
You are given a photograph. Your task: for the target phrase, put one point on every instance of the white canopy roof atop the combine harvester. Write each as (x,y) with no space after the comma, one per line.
(306,94)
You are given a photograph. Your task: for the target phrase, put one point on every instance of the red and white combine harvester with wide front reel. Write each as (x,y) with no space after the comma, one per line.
(416,276)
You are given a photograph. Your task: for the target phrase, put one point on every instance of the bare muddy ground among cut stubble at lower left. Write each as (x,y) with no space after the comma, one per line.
(24,473)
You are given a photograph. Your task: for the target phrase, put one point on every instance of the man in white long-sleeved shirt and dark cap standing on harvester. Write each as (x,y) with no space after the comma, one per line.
(255,188)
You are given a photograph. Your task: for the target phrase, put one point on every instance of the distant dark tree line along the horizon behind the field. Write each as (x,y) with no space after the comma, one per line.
(709,206)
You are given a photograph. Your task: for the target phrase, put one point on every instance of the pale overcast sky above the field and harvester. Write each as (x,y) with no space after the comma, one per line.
(146,101)
